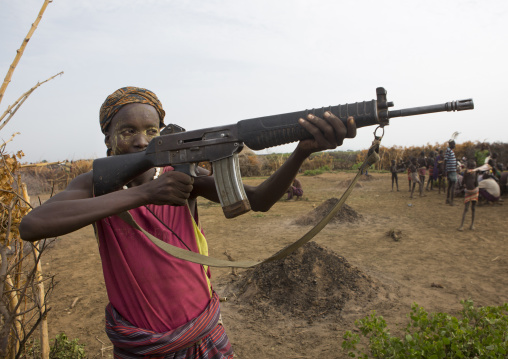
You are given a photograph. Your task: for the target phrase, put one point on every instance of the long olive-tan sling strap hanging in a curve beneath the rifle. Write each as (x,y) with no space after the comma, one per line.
(372,158)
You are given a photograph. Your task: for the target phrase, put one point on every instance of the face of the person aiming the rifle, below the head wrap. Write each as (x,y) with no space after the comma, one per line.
(132,128)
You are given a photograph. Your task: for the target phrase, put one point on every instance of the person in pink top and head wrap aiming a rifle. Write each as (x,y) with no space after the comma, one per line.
(161,306)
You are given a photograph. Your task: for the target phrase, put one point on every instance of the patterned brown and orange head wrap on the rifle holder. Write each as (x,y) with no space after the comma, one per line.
(125,96)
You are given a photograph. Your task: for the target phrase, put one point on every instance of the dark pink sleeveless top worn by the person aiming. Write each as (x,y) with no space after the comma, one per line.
(147,286)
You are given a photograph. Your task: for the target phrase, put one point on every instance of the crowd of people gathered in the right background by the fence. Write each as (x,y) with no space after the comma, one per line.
(480,178)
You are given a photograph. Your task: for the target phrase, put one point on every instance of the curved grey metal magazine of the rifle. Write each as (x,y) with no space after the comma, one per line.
(228,182)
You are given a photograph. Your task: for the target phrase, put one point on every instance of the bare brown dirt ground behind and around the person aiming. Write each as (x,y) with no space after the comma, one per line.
(387,252)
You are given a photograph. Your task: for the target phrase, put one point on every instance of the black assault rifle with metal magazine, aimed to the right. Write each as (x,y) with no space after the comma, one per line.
(221,145)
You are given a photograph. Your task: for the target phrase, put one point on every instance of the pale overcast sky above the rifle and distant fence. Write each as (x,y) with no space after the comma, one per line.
(217,62)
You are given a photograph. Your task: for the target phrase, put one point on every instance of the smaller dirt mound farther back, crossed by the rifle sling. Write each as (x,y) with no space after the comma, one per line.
(345,214)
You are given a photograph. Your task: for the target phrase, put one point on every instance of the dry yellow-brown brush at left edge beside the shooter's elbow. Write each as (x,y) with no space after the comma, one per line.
(22,294)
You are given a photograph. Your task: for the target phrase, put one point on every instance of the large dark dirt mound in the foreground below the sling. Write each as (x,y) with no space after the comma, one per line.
(311,283)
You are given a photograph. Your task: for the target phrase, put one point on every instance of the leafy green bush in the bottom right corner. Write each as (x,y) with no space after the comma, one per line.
(481,333)
